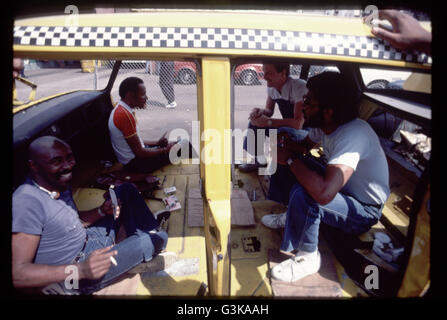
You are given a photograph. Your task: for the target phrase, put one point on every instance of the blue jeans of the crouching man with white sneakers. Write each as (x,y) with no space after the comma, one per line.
(304,214)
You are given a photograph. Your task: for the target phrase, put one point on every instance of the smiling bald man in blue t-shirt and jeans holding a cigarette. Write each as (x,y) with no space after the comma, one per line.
(54,243)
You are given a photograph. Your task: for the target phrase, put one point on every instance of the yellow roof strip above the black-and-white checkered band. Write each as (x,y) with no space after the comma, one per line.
(229,19)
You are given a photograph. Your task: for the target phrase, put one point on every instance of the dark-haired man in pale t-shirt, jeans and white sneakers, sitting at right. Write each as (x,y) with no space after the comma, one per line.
(348,194)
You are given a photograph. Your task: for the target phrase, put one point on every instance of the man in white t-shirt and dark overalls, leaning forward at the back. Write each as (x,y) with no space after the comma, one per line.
(287,93)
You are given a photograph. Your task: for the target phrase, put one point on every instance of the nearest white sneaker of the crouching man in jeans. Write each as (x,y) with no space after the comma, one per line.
(298,267)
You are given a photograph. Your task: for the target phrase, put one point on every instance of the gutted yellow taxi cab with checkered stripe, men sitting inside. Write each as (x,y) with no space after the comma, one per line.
(218,257)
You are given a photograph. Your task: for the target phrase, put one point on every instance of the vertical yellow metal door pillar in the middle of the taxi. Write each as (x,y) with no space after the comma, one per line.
(214,114)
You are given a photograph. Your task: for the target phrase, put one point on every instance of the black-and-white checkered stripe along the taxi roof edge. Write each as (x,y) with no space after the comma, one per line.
(214,38)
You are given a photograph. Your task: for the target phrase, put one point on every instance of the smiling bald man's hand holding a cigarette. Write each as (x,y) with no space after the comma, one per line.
(97,264)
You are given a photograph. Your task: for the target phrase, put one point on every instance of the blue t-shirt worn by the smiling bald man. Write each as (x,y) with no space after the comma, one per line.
(56,221)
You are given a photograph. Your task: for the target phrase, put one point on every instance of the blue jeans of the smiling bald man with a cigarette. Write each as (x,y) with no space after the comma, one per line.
(139,246)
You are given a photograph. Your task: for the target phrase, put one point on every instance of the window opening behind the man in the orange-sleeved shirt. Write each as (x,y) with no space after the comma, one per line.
(171,92)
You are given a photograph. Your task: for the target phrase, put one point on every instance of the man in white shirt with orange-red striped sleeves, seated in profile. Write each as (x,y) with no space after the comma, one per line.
(130,149)
